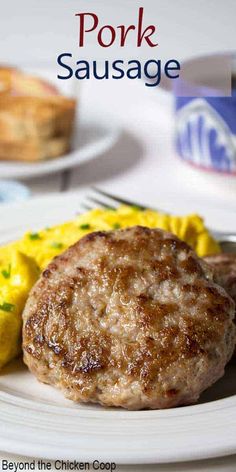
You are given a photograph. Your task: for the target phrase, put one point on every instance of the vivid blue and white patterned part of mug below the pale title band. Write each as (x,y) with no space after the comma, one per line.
(205,132)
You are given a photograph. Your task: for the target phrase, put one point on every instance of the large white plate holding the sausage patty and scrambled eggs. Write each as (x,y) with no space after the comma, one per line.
(37,421)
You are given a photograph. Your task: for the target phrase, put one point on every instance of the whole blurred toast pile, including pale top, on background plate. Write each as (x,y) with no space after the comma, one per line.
(36,122)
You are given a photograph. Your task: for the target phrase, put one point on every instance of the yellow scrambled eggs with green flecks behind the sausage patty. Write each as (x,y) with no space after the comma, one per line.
(22,261)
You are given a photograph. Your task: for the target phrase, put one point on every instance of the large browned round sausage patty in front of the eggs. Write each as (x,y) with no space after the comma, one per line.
(129,318)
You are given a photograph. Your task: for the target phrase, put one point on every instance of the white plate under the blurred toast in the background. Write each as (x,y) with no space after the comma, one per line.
(91,138)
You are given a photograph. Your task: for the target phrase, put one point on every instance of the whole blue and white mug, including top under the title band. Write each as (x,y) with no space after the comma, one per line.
(206,117)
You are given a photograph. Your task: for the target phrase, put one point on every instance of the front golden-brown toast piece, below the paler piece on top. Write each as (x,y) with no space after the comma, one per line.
(35,128)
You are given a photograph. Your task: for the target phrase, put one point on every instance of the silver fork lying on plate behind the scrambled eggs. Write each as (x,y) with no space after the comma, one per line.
(104,199)
